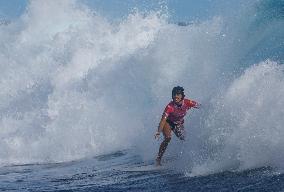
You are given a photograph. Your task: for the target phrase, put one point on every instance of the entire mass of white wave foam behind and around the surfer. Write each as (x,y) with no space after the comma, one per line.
(74,84)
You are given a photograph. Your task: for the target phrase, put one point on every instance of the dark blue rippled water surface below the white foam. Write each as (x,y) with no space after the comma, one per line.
(106,173)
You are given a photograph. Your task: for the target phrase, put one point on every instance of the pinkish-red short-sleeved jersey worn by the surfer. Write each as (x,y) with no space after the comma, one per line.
(176,113)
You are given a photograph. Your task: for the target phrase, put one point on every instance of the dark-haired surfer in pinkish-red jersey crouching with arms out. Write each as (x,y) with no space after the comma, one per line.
(173,119)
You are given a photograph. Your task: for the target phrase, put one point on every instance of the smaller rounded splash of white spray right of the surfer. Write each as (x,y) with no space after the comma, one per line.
(244,128)
